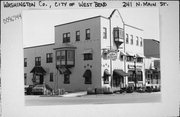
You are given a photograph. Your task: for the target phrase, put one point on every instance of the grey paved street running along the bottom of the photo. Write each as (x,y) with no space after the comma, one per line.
(95,99)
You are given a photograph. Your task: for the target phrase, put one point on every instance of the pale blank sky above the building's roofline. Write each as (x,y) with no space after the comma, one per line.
(38,25)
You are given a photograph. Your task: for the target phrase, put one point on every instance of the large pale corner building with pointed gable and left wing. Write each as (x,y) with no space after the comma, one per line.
(90,53)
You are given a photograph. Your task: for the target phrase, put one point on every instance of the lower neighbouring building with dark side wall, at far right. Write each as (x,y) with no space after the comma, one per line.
(152,62)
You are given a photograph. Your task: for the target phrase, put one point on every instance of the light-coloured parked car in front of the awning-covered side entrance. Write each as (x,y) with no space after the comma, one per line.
(41,89)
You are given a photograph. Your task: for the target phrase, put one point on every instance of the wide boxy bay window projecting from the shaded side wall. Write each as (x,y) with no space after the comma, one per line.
(65,58)
